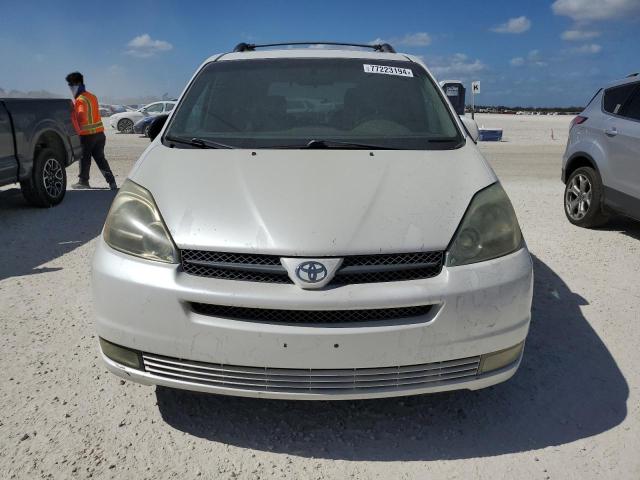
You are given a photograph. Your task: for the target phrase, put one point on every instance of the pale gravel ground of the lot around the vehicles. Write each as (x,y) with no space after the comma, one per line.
(572,410)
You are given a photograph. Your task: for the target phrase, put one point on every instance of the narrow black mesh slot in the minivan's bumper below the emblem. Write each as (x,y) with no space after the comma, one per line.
(309,317)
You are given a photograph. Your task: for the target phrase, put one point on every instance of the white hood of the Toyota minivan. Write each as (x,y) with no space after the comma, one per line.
(312,202)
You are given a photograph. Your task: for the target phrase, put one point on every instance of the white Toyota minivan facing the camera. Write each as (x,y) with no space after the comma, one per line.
(360,247)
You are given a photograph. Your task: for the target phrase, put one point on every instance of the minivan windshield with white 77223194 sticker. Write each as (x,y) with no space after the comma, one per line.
(280,103)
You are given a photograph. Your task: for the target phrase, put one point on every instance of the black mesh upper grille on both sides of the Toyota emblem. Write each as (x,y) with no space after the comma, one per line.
(354,269)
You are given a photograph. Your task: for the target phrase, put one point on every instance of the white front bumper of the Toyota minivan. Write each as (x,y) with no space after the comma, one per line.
(478,309)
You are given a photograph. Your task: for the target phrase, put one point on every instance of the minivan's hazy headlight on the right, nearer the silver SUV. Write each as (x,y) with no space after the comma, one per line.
(489,229)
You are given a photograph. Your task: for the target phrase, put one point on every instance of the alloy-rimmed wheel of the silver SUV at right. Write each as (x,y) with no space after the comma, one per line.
(583,198)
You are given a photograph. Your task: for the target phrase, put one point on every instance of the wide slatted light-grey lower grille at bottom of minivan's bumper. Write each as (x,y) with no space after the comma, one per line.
(305,380)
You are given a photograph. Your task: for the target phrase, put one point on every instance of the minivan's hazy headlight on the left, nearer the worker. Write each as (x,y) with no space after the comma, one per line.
(134,226)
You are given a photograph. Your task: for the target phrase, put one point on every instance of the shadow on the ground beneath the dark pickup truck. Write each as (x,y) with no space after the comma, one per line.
(31,237)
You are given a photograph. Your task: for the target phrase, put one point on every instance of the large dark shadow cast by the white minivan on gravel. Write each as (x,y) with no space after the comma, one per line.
(568,387)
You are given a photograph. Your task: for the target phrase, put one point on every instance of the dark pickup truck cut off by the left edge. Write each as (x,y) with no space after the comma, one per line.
(37,144)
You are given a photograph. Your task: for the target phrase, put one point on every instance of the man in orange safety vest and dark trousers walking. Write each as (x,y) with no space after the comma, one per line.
(88,124)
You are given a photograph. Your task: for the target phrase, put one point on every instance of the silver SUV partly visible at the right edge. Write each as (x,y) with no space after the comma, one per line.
(601,165)
